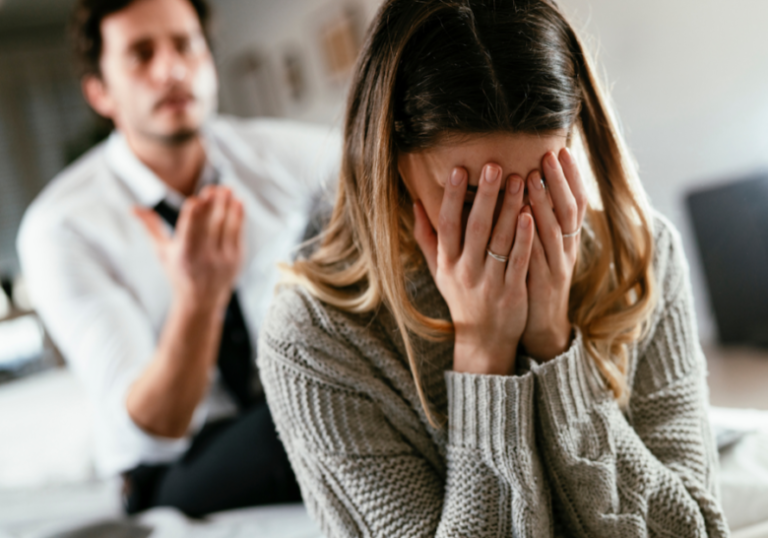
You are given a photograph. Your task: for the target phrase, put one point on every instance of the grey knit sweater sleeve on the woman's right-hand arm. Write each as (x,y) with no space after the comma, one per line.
(651,475)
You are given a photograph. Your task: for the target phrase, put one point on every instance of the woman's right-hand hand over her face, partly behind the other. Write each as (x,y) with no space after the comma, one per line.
(548,331)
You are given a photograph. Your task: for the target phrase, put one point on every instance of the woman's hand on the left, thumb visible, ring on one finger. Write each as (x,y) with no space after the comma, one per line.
(487,298)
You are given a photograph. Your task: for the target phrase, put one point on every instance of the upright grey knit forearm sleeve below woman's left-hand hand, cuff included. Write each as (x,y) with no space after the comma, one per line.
(495,484)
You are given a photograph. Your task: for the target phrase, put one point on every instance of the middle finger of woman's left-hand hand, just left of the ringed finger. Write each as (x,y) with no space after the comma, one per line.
(481,216)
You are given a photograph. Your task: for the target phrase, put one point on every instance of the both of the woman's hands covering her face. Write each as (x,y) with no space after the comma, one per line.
(496,305)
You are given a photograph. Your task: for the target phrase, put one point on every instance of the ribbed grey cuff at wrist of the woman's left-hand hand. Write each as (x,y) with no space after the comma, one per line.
(489,412)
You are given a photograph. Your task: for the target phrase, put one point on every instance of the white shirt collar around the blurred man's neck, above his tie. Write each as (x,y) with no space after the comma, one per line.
(149,189)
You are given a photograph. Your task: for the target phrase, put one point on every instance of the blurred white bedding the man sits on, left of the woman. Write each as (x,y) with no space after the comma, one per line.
(48,485)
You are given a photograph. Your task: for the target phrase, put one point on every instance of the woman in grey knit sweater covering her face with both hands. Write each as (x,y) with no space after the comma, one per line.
(476,348)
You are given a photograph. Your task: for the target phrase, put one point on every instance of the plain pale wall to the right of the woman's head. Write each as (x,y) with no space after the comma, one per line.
(690,81)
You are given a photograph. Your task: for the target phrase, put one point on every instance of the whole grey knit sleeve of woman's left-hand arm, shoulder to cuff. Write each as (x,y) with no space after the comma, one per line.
(362,472)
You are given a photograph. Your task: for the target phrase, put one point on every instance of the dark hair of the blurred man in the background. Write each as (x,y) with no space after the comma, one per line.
(86,29)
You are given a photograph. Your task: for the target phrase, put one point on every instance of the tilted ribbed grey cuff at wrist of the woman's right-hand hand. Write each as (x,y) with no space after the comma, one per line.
(570,384)
